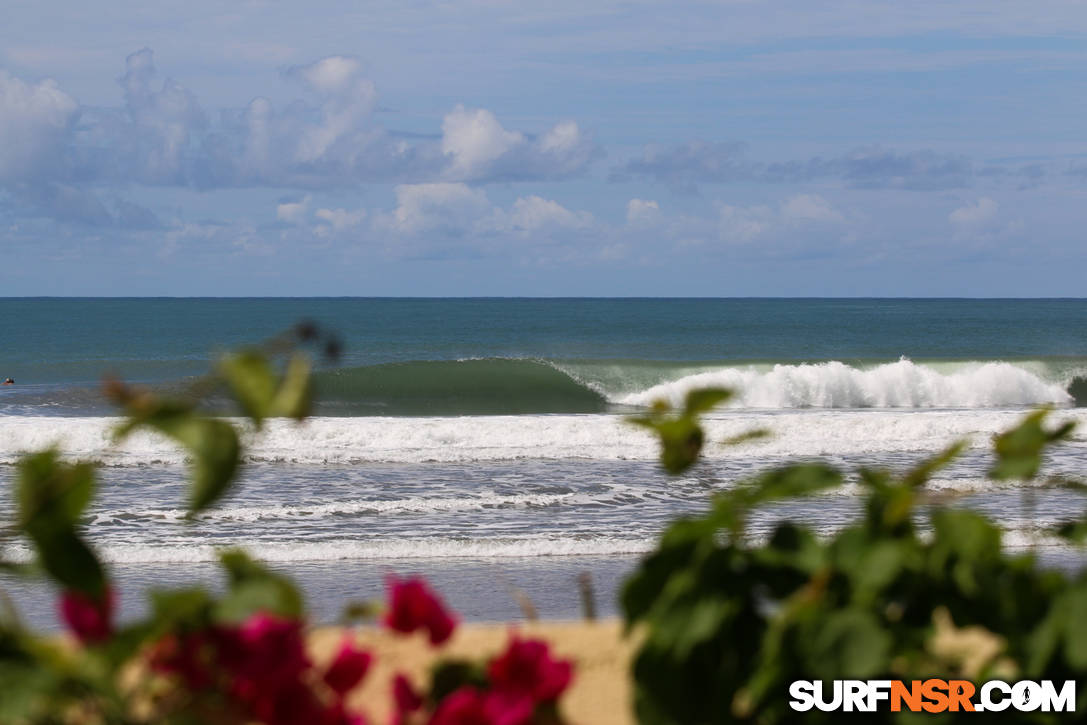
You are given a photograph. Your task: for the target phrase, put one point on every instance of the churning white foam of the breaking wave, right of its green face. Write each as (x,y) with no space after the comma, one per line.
(903,384)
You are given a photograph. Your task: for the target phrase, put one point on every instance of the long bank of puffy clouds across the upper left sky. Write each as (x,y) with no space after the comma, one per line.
(329,139)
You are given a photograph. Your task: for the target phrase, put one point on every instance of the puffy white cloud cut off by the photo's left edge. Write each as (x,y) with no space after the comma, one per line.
(34,123)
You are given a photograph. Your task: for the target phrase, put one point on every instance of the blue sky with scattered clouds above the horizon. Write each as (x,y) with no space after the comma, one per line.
(710,148)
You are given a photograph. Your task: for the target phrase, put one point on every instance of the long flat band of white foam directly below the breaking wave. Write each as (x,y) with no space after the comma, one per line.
(346,441)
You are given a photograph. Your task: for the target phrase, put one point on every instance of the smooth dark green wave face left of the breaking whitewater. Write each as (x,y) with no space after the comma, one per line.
(464,387)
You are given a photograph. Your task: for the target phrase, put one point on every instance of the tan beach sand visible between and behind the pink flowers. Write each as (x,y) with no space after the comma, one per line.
(601,694)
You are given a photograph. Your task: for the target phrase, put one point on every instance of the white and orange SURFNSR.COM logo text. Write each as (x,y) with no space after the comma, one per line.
(932,696)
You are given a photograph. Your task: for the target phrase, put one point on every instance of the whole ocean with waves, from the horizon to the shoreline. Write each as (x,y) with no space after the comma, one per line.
(483,443)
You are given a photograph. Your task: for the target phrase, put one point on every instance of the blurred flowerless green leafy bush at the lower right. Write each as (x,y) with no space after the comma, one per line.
(909,592)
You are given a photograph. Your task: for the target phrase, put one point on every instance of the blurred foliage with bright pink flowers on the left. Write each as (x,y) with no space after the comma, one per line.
(241,657)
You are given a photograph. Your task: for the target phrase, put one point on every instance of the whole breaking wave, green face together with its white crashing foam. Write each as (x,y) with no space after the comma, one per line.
(501,386)
